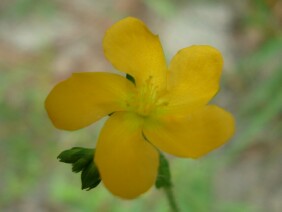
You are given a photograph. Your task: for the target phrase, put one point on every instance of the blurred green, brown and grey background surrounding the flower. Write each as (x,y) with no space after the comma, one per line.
(44,41)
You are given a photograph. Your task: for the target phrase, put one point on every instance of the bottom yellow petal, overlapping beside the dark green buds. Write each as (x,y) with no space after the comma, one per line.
(127,163)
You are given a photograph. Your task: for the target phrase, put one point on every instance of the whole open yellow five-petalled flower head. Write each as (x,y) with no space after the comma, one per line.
(165,109)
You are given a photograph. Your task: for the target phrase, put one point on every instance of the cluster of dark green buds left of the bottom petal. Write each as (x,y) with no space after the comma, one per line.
(82,161)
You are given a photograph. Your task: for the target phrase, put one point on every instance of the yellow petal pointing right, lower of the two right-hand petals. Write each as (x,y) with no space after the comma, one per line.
(193,136)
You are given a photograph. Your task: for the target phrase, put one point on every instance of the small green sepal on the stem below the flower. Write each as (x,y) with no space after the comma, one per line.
(164,177)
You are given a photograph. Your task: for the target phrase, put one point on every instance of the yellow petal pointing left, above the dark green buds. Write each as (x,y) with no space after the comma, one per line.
(86,97)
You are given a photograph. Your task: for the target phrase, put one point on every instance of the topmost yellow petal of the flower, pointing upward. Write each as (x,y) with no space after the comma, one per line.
(133,49)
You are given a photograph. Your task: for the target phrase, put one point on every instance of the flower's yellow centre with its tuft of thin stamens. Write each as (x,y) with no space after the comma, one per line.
(147,99)
